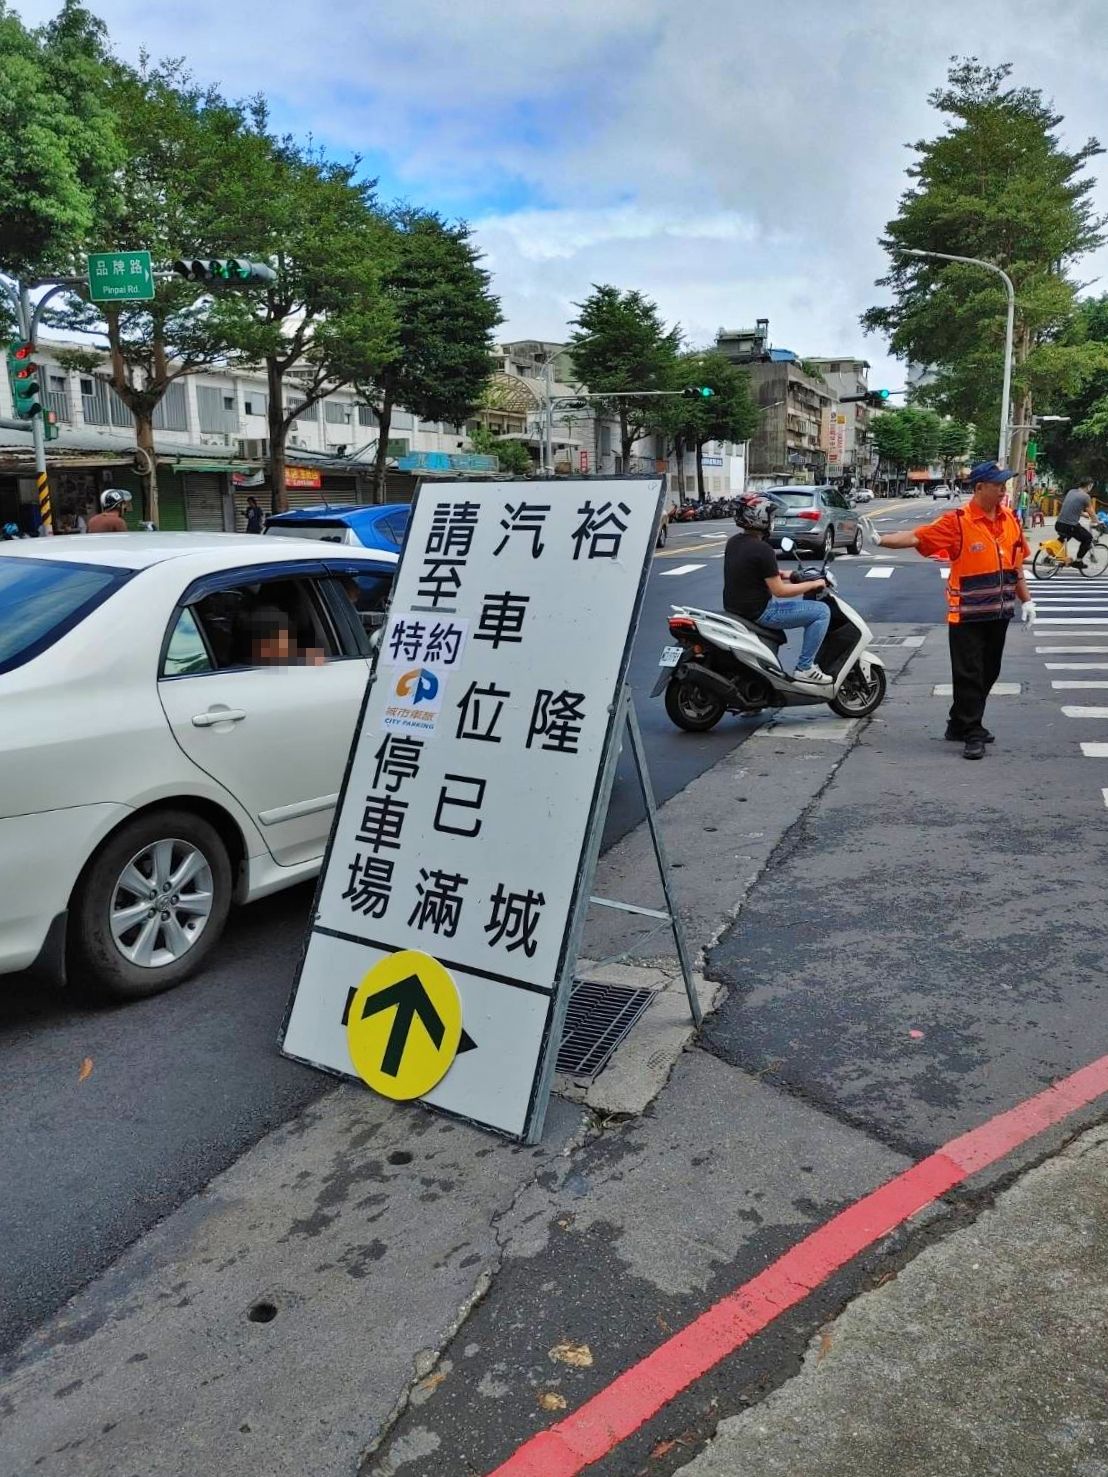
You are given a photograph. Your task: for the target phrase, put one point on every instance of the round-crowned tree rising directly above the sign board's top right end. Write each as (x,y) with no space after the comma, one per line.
(623,345)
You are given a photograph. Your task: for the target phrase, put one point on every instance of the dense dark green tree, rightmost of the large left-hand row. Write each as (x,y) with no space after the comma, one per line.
(444,314)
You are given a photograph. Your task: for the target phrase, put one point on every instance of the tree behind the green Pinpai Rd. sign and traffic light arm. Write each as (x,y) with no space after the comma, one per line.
(196,168)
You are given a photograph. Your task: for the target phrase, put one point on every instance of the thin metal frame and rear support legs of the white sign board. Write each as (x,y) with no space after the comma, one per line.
(621,720)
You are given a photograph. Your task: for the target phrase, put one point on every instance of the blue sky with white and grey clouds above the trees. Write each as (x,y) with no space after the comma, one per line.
(731,160)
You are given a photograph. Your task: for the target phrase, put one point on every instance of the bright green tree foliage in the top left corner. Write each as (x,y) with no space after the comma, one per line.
(60,145)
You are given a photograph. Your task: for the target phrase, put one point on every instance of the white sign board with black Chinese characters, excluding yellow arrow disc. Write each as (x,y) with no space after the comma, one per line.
(476,776)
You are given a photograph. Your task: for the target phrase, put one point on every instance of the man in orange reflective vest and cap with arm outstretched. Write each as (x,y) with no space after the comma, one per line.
(985,543)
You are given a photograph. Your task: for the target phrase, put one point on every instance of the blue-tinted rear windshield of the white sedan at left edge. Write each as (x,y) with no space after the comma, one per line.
(41,600)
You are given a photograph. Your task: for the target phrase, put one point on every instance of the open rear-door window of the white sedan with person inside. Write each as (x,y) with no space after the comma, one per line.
(267,623)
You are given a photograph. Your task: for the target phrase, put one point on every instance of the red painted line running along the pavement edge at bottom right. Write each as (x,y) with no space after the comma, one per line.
(637,1395)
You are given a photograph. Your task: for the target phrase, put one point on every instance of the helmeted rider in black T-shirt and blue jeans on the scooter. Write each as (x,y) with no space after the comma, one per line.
(756,589)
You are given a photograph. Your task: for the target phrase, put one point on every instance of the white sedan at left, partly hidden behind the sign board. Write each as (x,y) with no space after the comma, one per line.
(178,711)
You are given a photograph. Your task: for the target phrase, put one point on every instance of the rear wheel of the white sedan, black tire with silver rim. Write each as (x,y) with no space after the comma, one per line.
(106,945)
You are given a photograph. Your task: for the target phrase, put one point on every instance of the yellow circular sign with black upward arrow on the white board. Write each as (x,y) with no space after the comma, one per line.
(404,1026)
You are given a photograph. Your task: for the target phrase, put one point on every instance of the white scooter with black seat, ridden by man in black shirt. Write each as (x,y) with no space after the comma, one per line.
(731,665)
